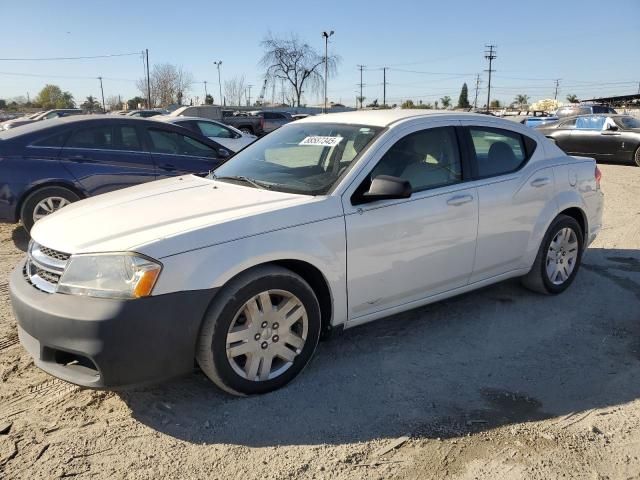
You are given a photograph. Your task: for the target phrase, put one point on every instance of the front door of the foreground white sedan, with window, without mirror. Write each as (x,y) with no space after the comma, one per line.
(402,251)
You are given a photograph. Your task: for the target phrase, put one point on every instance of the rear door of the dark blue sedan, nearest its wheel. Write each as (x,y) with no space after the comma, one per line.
(107,157)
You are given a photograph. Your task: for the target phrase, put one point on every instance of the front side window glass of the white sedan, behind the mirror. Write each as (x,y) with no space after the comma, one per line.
(427,159)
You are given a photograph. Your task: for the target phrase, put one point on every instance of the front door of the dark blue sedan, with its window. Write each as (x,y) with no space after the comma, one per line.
(178,153)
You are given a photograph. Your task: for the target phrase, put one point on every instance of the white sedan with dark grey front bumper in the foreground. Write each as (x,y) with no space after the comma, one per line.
(327,223)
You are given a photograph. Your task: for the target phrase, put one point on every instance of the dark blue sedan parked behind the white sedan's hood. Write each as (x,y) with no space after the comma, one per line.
(47,165)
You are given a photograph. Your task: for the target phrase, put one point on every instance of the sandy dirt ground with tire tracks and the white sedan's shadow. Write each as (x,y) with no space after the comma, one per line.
(496,384)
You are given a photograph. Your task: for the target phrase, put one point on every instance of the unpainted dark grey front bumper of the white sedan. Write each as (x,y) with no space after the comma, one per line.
(107,343)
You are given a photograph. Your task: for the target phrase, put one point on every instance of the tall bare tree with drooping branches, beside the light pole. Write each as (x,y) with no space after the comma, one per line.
(296,62)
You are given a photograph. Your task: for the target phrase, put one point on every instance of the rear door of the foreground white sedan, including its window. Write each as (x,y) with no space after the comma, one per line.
(513,194)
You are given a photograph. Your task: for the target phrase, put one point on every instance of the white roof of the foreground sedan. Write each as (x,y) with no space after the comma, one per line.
(385,118)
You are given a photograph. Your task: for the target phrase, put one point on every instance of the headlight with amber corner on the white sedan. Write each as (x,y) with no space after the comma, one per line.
(120,275)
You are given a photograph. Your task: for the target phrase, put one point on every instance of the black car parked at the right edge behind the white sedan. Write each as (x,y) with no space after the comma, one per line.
(603,137)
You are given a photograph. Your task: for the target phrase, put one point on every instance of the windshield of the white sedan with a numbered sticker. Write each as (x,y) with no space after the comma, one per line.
(305,158)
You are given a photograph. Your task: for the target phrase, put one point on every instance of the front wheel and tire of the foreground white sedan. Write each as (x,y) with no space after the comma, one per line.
(238,310)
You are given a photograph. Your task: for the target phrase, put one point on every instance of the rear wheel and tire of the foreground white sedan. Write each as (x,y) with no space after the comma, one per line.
(539,279)
